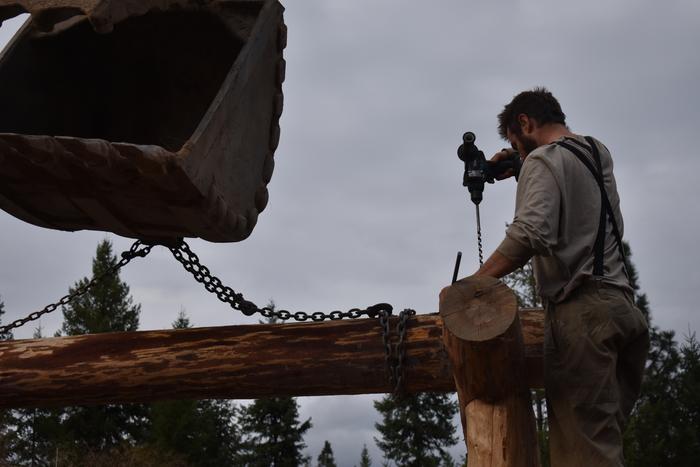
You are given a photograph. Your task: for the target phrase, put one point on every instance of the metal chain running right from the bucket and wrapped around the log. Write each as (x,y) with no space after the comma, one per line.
(394,354)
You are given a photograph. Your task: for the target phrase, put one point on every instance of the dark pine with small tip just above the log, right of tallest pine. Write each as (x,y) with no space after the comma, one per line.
(204,432)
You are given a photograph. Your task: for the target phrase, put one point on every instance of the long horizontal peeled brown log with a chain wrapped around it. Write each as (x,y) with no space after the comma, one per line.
(233,362)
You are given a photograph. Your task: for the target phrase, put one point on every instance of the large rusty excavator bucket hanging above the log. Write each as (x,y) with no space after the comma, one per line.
(152,119)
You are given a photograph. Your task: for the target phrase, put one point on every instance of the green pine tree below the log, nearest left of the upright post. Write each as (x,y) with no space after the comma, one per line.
(415,429)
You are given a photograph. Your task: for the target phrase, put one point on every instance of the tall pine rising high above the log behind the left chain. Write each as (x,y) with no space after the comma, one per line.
(106,307)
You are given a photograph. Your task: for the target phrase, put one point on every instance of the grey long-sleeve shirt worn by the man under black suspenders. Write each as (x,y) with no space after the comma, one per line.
(557,211)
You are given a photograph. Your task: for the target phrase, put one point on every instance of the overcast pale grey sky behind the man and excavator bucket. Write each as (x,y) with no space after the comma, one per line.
(366,203)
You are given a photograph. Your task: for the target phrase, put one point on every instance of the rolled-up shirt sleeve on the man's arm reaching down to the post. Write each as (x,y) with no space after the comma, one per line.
(535,226)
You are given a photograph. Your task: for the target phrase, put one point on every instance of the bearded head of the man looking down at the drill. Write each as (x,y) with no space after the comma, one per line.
(528,119)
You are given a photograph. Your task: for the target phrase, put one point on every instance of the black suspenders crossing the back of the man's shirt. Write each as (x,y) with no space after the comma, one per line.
(605,205)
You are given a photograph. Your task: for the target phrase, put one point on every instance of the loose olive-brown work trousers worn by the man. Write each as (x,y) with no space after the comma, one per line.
(596,343)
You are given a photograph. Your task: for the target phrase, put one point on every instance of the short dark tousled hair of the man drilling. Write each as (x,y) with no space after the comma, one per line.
(539,104)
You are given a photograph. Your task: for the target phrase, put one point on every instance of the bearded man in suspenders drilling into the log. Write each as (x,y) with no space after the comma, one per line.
(596,340)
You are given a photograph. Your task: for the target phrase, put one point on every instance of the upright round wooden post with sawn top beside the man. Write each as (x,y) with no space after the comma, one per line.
(483,339)
